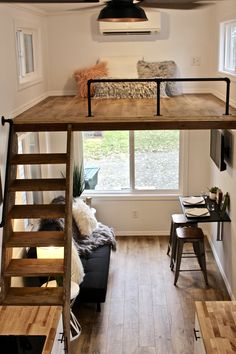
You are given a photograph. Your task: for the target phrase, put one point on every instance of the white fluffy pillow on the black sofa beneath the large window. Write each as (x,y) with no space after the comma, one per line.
(84,217)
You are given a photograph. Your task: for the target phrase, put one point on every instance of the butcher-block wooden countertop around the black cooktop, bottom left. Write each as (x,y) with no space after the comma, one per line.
(31,320)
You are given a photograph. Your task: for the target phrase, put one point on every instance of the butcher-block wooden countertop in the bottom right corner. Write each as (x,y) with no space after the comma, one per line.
(217,320)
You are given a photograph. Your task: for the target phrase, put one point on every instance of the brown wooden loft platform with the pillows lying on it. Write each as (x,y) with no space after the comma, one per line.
(139,110)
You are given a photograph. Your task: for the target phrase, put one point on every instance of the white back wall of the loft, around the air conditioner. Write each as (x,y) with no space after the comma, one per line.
(75,42)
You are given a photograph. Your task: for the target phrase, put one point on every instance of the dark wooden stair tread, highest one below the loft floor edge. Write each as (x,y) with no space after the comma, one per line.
(32,159)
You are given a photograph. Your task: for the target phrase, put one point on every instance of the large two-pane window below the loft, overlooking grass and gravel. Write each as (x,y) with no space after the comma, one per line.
(136,161)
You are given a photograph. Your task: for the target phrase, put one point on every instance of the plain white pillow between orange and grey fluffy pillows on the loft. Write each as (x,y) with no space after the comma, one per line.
(121,67)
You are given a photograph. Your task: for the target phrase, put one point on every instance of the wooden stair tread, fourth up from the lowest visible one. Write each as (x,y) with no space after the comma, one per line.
(37,211)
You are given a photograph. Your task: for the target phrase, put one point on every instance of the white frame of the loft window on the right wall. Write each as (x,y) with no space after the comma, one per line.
(225,45)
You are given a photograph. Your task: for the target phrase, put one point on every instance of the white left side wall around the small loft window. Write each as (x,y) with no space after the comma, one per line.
(13,100)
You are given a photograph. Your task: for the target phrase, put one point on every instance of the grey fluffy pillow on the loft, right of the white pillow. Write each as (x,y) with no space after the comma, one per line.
(167,68)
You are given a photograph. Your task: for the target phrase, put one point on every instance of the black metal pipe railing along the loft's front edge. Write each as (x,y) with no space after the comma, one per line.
(158,83)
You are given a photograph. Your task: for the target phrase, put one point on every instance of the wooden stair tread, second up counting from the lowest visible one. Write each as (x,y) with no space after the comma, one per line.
(34,267)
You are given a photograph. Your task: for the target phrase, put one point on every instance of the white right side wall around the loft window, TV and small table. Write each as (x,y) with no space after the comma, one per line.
(225,251)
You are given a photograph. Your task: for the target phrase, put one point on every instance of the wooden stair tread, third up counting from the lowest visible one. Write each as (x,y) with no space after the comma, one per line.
(36,238)
